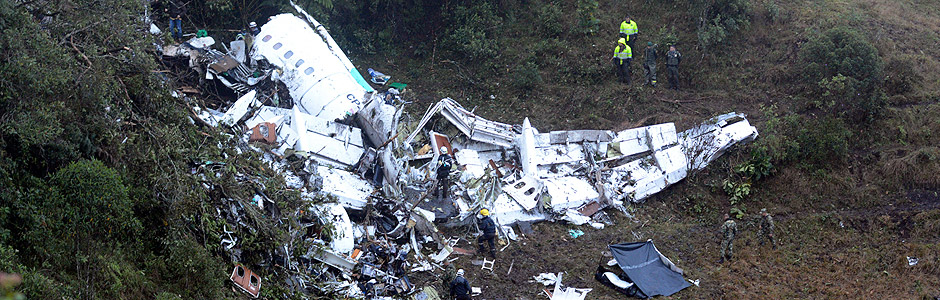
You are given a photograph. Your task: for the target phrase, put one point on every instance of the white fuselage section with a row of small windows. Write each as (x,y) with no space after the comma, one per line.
(317,79)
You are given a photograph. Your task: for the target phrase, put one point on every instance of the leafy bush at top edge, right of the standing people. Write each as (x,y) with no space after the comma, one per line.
(721,19)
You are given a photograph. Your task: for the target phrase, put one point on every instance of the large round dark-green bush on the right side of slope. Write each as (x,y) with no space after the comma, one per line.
(846,71)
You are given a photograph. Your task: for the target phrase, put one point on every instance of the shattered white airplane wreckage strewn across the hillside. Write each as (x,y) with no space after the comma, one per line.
(359,147)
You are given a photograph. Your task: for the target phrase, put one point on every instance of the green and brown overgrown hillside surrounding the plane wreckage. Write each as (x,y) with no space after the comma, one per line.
(105,193)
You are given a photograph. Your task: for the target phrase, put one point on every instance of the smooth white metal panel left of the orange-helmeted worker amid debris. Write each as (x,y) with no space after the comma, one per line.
(350,190)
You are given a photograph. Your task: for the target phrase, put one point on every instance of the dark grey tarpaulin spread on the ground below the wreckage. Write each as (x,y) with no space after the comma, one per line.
(652,273)
